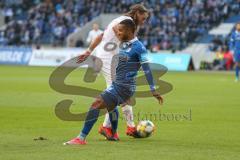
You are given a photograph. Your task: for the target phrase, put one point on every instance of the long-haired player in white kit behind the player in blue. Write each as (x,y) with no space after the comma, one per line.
(107,45)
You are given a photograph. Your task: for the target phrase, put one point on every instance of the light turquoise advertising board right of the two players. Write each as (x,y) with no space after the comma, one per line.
(174,62)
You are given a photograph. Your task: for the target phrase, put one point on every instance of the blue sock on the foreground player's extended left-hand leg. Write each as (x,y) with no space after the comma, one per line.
(90,120)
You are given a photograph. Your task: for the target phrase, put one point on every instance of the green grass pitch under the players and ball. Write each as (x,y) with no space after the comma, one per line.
(211,133)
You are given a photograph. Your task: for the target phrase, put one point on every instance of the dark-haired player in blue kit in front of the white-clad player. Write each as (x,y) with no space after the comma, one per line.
(131,57)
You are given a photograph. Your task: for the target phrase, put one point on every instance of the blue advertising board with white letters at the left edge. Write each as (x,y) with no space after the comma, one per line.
(15,55)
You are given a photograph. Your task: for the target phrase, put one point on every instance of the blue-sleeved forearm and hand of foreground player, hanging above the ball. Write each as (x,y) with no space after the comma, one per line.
(150,81)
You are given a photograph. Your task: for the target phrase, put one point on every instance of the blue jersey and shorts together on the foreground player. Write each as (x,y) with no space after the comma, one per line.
(131,57)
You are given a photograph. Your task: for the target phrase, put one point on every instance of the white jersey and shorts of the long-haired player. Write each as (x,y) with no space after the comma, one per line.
(109,47)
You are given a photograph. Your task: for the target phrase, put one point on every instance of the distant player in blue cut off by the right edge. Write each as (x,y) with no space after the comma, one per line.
(235,47)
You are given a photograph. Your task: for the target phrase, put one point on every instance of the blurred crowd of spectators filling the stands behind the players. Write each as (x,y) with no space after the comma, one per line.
(172,25)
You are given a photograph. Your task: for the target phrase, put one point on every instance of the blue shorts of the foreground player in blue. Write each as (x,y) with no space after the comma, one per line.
(116,95)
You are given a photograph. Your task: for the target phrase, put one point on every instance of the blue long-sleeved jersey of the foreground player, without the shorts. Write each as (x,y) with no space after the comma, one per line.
(132,55)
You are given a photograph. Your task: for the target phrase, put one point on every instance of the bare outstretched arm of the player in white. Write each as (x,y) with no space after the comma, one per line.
(91,47)
